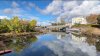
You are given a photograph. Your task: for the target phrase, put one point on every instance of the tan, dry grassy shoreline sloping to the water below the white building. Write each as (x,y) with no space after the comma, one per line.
(89,31)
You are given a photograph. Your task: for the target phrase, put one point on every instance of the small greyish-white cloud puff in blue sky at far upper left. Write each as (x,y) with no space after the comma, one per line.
(14,11)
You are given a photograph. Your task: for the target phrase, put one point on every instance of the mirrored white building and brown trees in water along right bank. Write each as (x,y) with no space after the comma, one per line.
(91,40)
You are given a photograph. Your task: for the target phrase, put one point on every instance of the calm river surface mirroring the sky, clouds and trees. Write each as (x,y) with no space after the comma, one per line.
(54,44)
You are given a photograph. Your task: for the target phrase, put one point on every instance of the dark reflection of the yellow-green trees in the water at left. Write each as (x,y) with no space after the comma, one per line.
(18,43)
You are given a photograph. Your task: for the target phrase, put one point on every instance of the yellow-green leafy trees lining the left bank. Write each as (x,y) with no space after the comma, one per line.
(16,25)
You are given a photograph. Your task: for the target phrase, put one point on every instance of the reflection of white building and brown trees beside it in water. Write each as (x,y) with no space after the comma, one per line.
(89,40)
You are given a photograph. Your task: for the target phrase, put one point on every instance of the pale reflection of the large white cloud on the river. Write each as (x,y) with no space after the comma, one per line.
(68,47)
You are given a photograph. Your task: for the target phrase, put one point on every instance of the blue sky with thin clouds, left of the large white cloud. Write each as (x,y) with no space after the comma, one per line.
(25,9)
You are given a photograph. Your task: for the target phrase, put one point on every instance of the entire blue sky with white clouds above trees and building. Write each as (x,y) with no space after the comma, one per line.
(48,11)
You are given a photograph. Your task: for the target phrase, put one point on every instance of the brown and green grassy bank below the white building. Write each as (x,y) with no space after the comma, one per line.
(88,30)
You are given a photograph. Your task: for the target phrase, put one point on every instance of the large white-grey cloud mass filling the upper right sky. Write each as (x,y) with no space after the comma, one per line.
(66,8)
